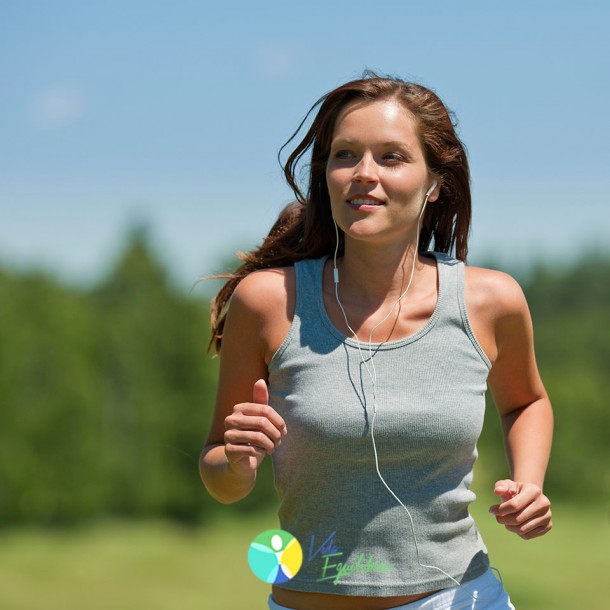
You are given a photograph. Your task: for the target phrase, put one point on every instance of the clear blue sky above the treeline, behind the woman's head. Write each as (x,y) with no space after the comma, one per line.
(173,113)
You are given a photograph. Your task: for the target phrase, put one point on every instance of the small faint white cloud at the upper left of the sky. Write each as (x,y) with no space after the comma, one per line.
(57,107)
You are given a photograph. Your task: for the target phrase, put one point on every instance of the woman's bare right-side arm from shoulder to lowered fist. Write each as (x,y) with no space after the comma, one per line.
(504,323)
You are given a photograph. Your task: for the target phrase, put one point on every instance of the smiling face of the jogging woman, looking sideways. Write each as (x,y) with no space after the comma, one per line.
(376,173)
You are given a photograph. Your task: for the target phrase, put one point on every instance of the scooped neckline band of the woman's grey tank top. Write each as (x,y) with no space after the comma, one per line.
(383,345)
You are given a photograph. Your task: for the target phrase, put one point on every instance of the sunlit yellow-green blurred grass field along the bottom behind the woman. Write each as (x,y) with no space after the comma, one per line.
(157,566)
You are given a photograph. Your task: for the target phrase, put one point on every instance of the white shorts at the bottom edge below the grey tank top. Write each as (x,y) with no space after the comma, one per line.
(483,593)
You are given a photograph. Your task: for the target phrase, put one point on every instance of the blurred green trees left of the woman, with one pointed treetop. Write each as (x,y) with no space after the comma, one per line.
(105,396)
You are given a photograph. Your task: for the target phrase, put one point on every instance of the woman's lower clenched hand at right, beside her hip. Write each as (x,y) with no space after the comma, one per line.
(524,509)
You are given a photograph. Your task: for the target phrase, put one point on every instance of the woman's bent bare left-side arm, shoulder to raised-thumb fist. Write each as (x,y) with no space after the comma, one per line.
(244,427)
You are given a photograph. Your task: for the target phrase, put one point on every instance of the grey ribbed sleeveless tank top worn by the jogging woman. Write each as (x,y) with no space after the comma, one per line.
(356,538)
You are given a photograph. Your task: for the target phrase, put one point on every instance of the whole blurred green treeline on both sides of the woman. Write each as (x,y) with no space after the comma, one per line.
(106,393)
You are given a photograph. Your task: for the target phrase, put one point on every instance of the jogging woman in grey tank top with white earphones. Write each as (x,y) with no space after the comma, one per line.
(360,361)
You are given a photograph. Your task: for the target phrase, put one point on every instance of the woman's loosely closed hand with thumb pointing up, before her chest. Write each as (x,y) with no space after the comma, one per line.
(253,430)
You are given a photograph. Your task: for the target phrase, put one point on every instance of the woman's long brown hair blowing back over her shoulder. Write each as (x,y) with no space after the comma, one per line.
(305,227)
